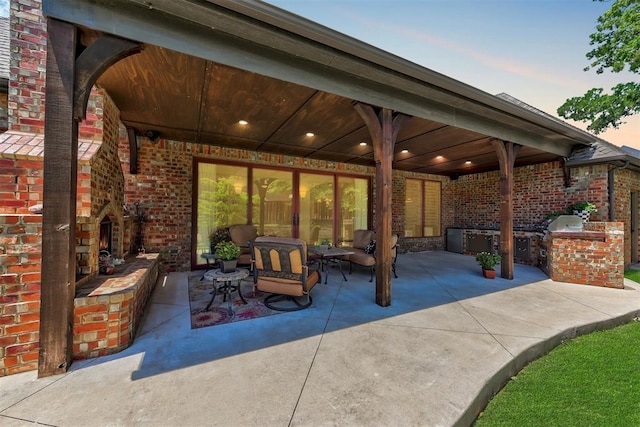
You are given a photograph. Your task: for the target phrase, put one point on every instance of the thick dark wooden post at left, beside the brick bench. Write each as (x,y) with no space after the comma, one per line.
(59,200)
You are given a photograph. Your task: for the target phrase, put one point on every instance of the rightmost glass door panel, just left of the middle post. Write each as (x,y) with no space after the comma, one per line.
(353,212)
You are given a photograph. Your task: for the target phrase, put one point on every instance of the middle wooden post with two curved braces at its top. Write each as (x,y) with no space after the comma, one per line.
(383,129)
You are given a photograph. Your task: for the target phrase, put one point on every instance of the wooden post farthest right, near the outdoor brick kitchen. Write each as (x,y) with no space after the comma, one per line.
(507,152)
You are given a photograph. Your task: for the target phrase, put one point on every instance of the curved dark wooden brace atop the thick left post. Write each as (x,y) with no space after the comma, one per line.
(93,61)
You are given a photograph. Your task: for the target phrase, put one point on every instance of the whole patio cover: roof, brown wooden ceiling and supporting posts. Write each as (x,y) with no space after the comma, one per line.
(188,71)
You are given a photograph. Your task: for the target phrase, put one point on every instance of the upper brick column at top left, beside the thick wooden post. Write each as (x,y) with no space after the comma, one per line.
(28,49)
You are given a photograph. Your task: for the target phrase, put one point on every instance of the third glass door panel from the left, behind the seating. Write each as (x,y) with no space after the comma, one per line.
(315,216)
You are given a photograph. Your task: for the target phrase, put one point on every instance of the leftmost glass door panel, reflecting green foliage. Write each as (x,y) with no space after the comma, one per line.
(222,200)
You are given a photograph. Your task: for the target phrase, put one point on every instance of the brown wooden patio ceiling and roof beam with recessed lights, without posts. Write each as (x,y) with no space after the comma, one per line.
(200,95)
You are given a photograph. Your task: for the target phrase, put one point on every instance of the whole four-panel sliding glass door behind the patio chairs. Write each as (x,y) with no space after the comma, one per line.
(315,207)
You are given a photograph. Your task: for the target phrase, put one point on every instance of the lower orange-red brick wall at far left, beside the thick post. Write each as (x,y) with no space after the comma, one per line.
(20,260)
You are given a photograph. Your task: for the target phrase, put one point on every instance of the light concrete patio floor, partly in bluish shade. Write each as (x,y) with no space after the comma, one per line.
(449,340)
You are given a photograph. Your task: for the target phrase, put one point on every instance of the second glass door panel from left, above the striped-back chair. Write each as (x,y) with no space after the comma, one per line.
(273,202)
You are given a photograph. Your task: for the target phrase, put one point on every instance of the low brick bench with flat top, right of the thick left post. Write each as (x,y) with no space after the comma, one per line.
(108,309)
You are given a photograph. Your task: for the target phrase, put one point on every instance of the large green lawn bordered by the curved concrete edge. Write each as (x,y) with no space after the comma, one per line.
(593,380)
